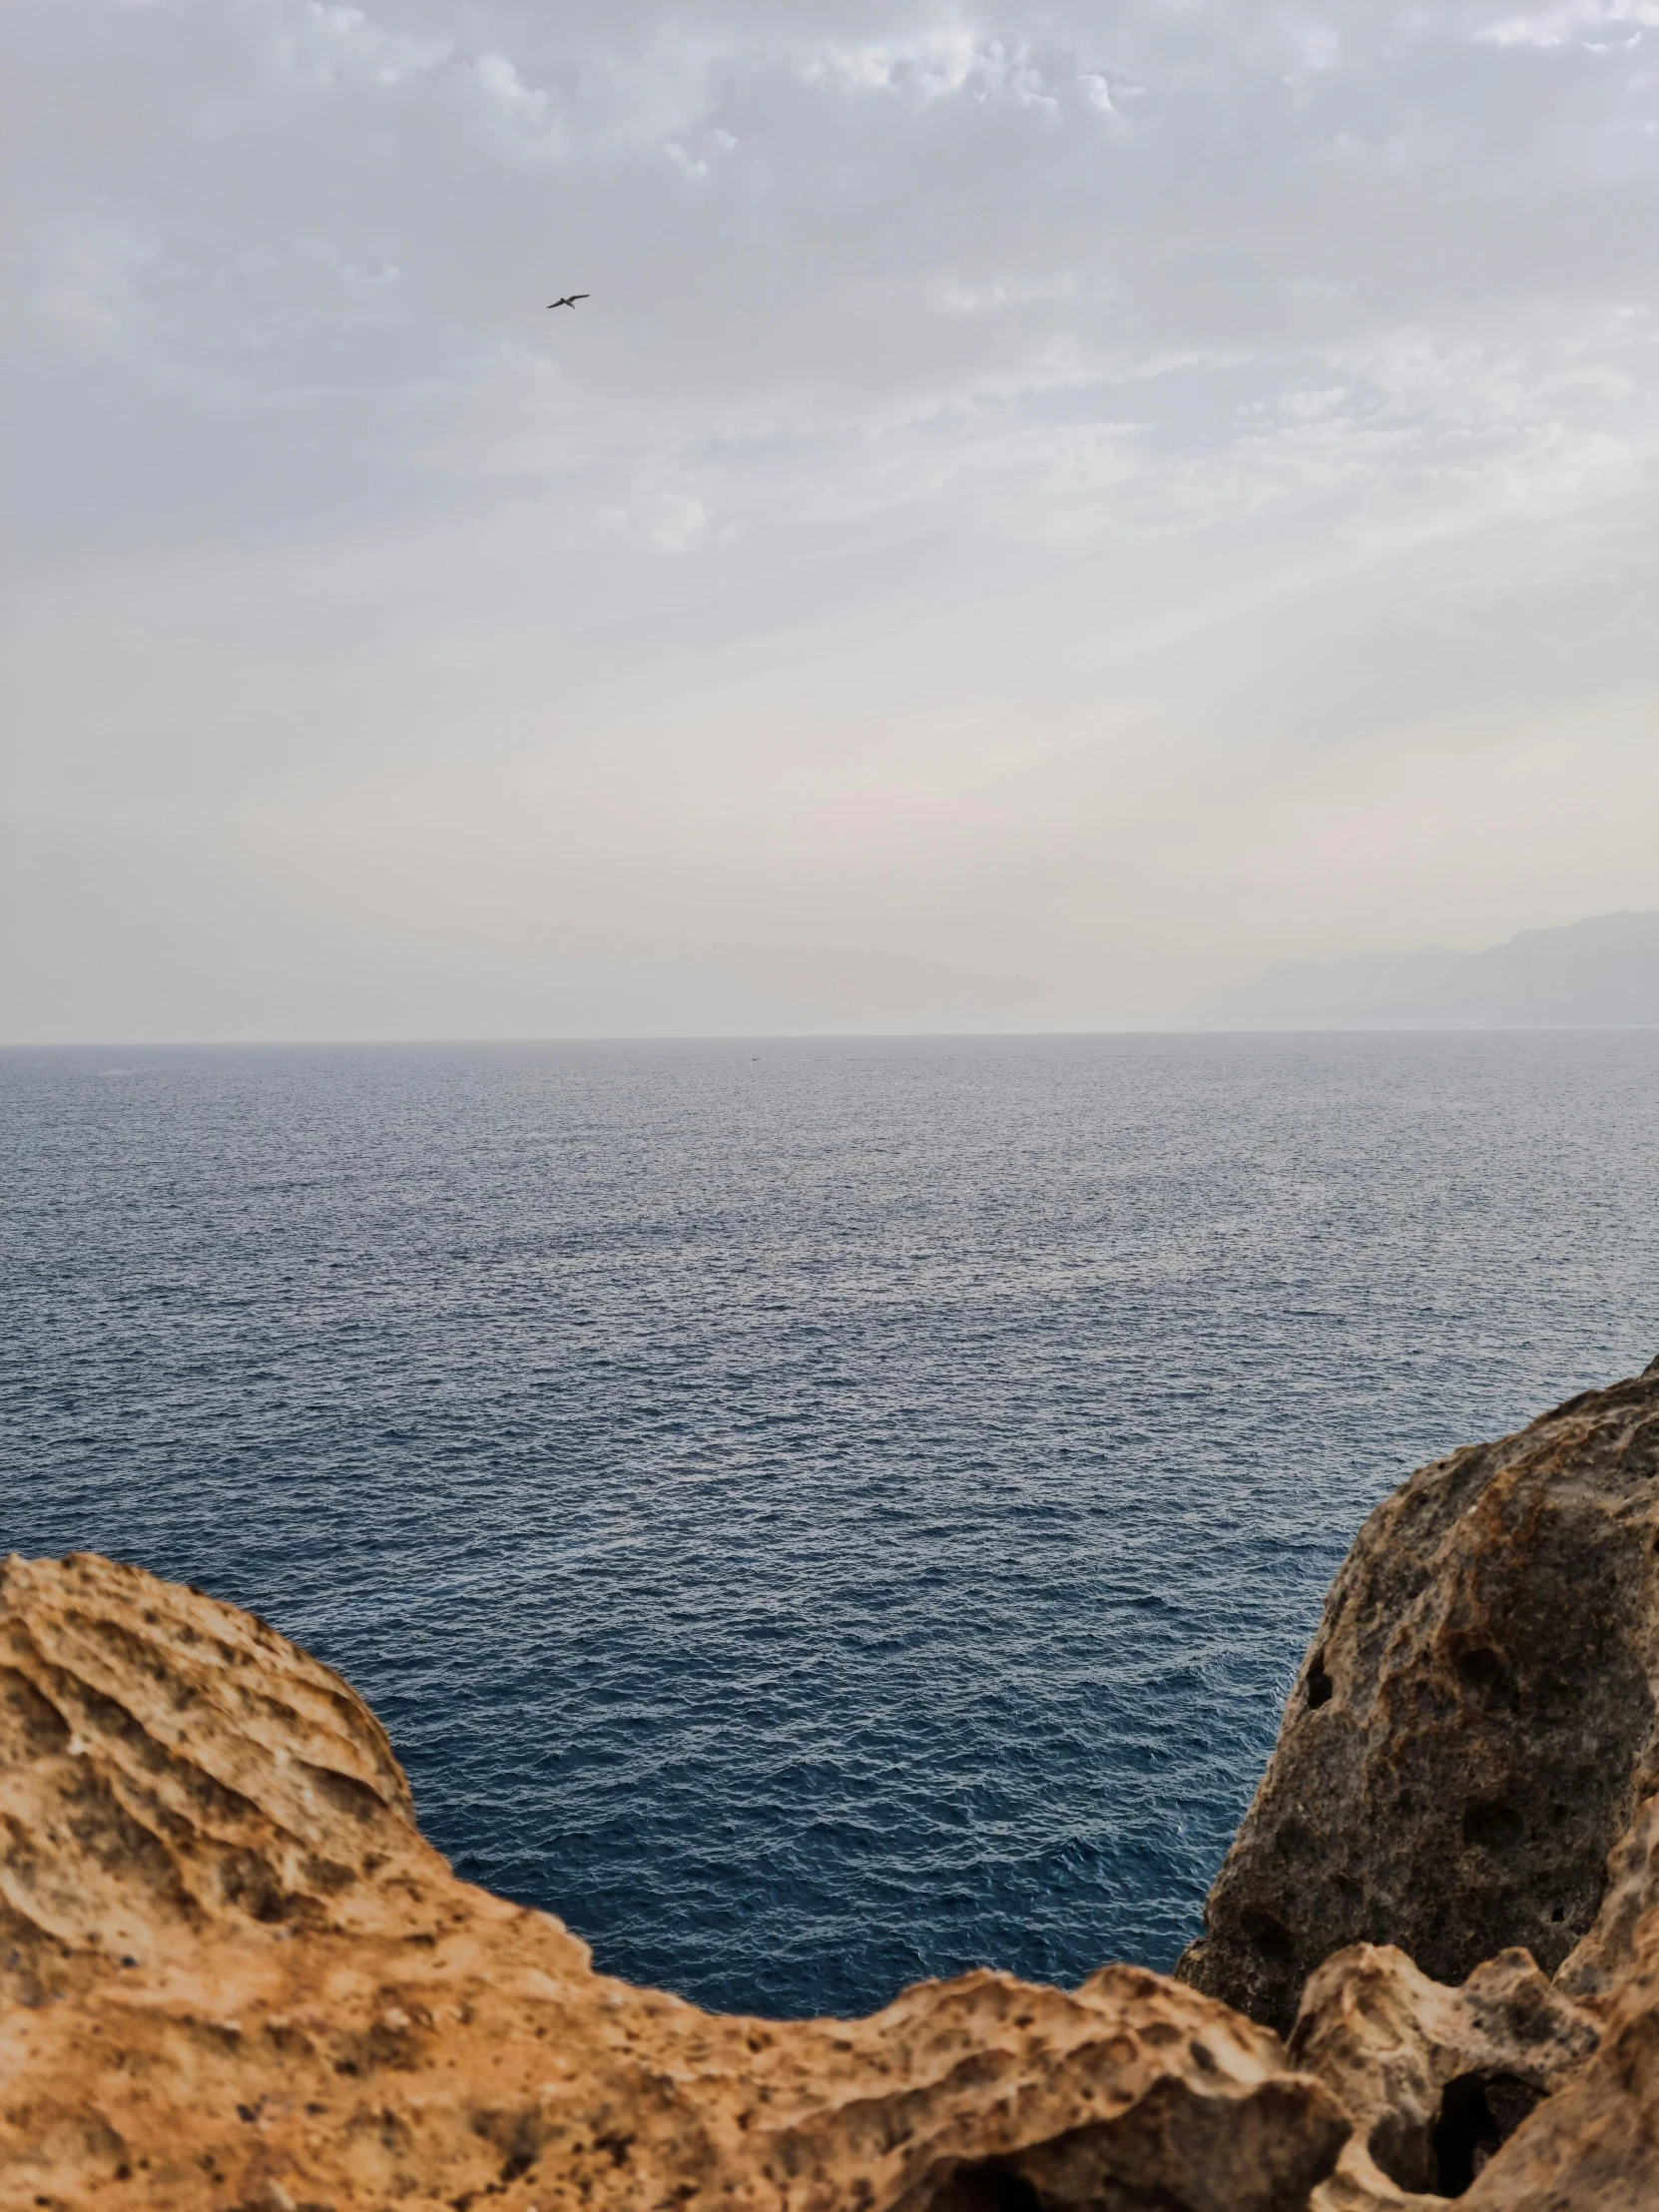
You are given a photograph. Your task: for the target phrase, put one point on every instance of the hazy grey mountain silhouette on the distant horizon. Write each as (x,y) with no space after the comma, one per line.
(1598,974)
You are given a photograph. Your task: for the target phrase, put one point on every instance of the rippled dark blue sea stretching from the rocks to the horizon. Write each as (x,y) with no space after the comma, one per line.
(811,1514)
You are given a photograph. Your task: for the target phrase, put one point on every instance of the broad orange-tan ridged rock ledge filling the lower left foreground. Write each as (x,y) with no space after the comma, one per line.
(236,1976)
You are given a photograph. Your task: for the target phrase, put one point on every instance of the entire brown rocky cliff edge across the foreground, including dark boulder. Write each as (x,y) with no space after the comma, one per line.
(236,1976)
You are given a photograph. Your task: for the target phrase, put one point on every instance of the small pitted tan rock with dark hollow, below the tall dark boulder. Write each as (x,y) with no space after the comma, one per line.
(1434,2078)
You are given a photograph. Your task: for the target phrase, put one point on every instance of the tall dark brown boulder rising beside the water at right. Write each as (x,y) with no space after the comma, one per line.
(1474,1724)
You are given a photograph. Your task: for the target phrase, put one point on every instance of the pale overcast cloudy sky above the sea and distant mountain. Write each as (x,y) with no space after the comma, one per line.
(1045,514)
